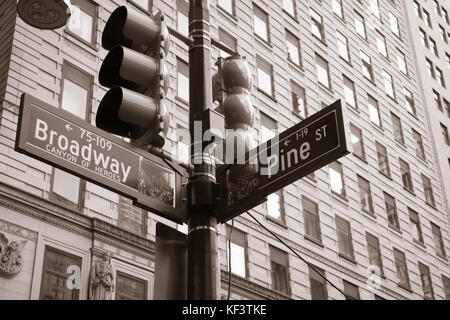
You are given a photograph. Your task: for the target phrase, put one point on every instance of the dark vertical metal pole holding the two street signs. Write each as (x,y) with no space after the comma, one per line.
(203,269)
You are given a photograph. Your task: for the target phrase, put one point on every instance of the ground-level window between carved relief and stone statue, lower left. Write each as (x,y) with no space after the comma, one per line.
(55,276)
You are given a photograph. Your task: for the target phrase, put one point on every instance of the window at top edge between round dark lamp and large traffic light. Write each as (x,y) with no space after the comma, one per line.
(83,20)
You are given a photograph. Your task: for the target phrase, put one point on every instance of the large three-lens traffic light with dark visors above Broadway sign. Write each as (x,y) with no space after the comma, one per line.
(136,74)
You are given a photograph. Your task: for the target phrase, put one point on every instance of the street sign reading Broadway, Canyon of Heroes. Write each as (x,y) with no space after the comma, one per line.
(67,142)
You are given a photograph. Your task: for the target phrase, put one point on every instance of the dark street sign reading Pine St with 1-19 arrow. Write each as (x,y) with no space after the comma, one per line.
(298,151)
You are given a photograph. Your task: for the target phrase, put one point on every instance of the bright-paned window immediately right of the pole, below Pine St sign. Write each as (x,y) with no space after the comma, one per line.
(238,252)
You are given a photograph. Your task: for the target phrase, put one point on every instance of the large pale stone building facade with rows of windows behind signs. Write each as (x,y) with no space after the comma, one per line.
(375,223)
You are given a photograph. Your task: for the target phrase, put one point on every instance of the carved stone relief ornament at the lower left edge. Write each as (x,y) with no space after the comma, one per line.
(11,262)
